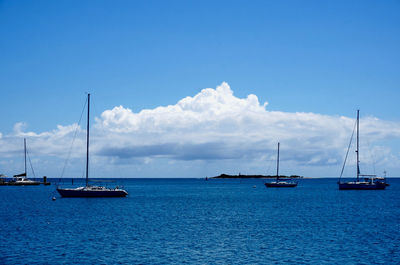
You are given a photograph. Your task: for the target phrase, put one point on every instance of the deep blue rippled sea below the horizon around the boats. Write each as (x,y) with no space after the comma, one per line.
(193,221)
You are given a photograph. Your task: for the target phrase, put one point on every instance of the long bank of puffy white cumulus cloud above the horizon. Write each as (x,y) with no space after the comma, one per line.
(214,126)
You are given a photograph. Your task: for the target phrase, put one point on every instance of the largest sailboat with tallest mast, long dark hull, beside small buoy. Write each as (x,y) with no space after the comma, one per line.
(89,190)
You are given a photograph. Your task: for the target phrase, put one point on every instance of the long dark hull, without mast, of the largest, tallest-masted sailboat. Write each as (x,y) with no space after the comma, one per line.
(92,191)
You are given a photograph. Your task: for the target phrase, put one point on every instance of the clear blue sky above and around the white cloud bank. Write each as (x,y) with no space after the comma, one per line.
(322,57)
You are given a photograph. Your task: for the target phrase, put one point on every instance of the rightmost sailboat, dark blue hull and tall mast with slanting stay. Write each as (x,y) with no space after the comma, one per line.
(369,182)
